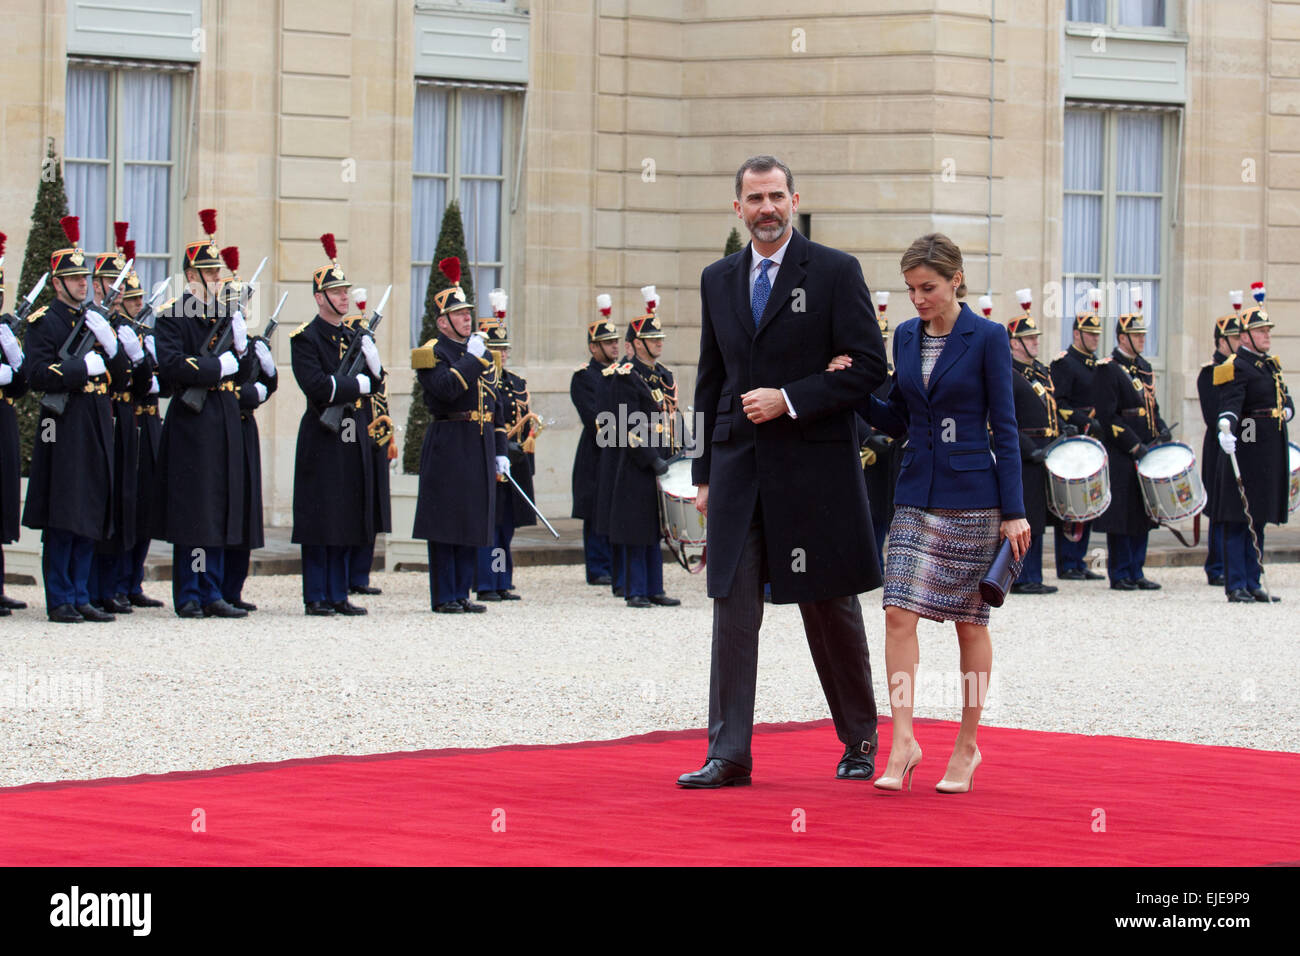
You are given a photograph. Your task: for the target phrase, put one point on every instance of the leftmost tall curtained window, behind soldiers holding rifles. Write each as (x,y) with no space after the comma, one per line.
(122,146)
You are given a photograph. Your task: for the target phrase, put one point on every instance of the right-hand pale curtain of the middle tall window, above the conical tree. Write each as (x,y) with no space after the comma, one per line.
(482,148)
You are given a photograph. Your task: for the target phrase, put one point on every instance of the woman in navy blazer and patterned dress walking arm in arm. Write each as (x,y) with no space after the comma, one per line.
(959,494)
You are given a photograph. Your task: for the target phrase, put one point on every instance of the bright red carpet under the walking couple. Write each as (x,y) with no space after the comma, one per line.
(1035,803)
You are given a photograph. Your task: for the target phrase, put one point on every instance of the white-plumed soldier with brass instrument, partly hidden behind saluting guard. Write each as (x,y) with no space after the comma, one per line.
(495,577)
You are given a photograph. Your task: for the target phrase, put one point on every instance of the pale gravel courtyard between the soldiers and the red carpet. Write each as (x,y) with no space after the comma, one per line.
(155,694)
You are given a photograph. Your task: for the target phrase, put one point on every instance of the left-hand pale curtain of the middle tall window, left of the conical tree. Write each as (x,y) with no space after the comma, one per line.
(430,194)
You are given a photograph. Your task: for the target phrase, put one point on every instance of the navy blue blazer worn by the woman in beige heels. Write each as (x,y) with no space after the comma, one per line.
(948,462)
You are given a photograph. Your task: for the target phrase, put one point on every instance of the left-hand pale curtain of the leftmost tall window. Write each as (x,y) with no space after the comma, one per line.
(86,139)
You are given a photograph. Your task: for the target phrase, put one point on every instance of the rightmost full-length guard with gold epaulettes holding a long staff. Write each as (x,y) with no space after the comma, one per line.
(1254,412)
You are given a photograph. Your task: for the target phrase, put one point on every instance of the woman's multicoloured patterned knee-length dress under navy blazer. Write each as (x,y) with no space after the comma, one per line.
(938,557)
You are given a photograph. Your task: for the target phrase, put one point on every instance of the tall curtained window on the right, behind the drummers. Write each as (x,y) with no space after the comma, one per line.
(1115,224)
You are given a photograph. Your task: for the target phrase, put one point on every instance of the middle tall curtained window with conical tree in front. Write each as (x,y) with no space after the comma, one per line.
(461,152)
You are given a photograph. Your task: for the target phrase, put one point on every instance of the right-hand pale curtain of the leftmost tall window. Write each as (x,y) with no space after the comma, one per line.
(146,101)
